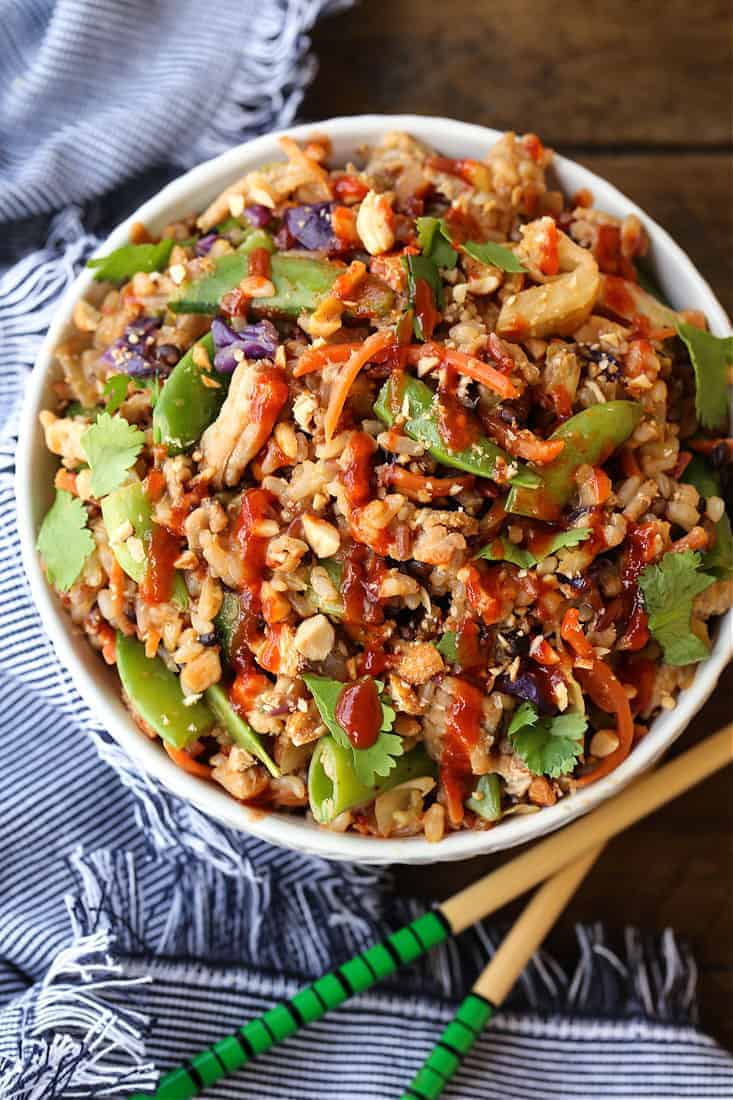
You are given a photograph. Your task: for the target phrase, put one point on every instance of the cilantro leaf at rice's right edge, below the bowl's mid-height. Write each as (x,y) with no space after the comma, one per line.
(669,591)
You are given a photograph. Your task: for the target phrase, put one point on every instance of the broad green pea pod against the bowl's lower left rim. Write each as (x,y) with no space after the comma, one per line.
(156,694)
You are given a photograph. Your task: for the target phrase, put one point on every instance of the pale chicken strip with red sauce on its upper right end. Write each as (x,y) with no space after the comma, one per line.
(248,416)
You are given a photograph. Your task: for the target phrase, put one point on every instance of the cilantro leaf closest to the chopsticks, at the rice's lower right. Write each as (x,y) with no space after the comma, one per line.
(549,746)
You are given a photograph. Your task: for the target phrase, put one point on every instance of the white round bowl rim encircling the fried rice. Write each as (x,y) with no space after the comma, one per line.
(100,687)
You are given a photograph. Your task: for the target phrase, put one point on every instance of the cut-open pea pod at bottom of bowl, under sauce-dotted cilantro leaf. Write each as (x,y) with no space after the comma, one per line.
(334,787)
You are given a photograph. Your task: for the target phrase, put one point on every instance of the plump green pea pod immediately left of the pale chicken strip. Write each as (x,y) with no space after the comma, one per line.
(187,406)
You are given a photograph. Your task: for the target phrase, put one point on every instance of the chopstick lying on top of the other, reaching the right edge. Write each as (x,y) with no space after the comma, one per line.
(453,917)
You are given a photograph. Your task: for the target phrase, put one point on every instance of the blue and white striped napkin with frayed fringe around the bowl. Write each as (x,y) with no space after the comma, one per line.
(134,930)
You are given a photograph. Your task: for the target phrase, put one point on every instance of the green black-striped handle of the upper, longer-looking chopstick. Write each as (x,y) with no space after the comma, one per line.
(311,1004)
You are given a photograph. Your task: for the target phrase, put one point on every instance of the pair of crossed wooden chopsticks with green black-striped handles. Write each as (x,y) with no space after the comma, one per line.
(567,856)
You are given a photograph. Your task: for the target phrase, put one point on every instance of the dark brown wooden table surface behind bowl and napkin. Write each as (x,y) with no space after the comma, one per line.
(641,94)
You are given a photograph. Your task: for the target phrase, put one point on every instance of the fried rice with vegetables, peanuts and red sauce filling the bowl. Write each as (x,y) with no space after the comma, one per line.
(390,489)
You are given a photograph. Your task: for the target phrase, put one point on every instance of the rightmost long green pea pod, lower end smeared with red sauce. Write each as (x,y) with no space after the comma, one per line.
(590,438)
